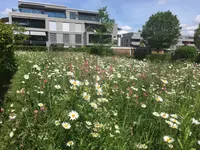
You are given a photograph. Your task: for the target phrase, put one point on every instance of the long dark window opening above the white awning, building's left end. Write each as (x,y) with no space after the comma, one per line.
(30,23)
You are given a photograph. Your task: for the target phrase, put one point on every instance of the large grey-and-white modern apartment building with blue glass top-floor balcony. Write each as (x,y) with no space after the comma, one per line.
(48,24)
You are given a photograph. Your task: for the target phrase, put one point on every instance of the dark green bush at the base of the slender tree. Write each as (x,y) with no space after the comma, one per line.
(101,50)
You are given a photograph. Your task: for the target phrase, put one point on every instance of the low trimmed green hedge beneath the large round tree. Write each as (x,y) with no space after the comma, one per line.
(159,57)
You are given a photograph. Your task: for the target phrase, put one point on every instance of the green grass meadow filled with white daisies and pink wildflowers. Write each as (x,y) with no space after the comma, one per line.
(116,115)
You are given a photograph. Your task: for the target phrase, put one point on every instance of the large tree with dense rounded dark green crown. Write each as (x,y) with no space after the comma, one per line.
(162,30)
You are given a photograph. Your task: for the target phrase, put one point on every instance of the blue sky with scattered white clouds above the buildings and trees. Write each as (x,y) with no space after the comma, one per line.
(130,15)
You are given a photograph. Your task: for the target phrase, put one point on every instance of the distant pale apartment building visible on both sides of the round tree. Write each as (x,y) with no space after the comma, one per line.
(134,39)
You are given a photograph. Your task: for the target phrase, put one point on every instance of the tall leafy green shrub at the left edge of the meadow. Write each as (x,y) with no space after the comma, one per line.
(10,35)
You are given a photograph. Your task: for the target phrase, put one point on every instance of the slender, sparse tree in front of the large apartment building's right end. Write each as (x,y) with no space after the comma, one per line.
(103,34)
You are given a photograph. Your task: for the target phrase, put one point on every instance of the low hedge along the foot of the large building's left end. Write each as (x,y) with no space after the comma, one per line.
(30,48)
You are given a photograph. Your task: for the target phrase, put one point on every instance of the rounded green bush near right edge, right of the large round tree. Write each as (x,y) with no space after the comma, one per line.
(185,53)
